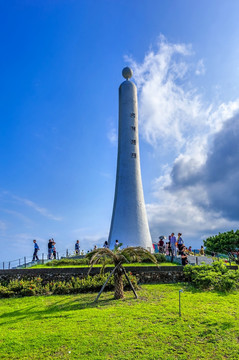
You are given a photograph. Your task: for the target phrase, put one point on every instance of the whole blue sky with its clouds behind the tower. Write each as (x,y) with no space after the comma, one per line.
(61,63)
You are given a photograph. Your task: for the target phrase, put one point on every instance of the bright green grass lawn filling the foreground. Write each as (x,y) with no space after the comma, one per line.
(73,327)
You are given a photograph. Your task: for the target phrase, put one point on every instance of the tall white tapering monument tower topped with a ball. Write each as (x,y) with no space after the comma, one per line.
(129,224)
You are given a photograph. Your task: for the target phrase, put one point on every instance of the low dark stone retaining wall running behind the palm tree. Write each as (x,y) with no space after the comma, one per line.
(145,274)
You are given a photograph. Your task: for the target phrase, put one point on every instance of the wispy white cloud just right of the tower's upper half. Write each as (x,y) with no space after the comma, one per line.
(170,108)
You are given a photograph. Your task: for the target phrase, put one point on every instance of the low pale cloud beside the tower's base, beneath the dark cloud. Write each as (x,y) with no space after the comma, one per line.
(177,213)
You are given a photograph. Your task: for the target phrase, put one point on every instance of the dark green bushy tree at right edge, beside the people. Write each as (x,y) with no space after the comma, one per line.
(223,243)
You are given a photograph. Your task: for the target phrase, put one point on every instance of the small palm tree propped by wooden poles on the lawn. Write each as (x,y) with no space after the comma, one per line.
(119,257)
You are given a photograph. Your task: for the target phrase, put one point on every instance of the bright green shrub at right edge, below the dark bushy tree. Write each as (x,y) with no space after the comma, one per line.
(213,277)
